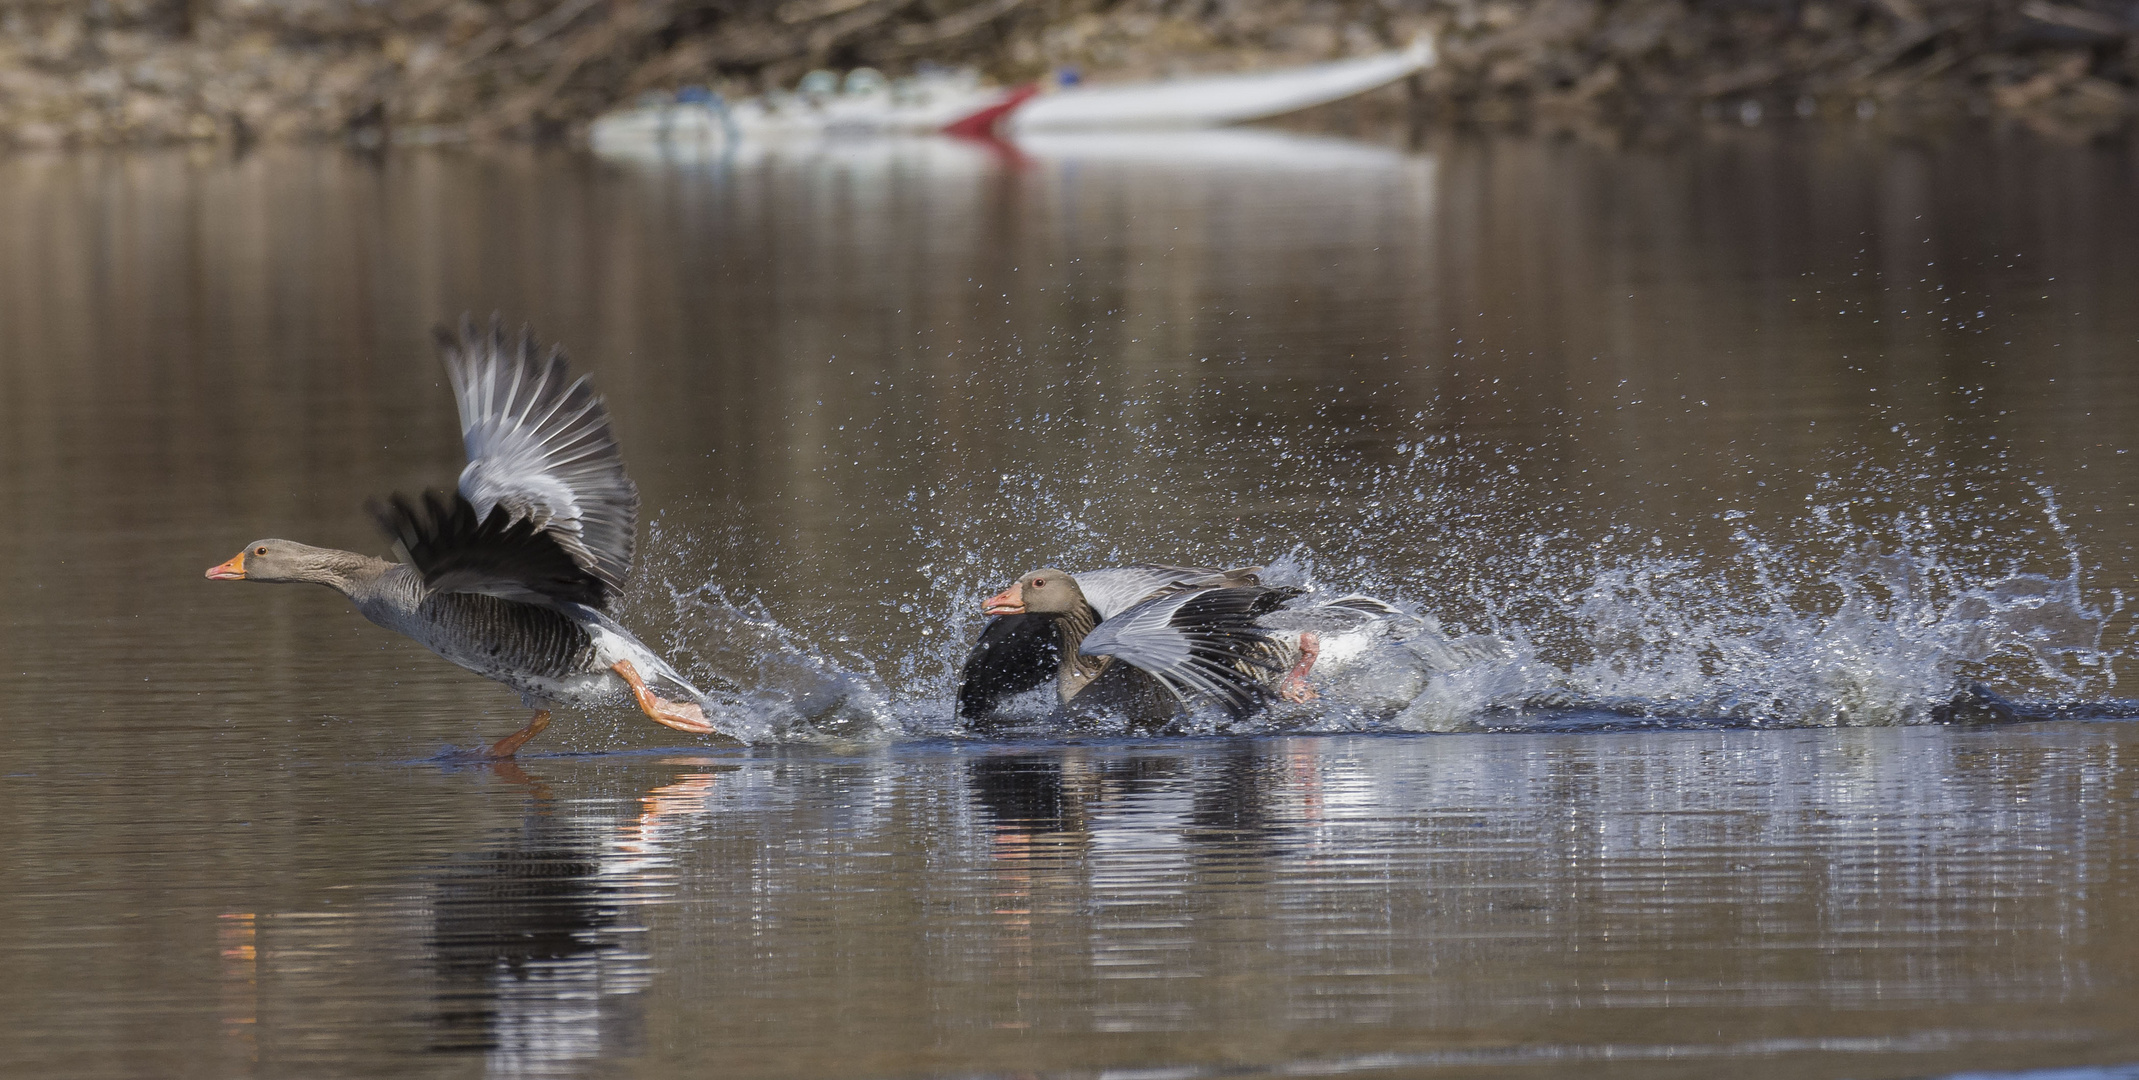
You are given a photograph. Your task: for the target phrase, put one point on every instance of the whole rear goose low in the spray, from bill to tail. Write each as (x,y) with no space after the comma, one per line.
(1145,641)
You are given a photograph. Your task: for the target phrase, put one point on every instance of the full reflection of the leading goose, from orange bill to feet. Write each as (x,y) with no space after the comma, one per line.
(527,951)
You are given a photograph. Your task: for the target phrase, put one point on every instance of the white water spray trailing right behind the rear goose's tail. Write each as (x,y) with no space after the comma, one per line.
(1776,636)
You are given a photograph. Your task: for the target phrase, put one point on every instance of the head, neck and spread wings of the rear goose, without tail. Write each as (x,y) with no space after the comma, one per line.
(1135,641)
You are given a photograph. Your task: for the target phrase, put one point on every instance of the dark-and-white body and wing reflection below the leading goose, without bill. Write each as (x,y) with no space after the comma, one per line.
(536,942)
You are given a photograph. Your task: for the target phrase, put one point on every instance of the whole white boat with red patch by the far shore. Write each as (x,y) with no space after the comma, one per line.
(959,106)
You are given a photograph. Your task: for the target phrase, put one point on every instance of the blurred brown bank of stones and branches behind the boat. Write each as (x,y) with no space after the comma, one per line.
(147,72)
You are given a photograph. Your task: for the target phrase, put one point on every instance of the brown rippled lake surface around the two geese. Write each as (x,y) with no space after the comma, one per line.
(1751,452)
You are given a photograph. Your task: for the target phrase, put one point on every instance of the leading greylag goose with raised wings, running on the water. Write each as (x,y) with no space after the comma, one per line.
(510,574)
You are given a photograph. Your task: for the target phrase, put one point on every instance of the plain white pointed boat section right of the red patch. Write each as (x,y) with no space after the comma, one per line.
(1216,99)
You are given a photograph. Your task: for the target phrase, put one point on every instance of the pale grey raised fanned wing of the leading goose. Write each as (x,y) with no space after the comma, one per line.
(542,450)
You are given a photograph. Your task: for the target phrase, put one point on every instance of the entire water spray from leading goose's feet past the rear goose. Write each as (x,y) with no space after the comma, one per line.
(1862,617)
